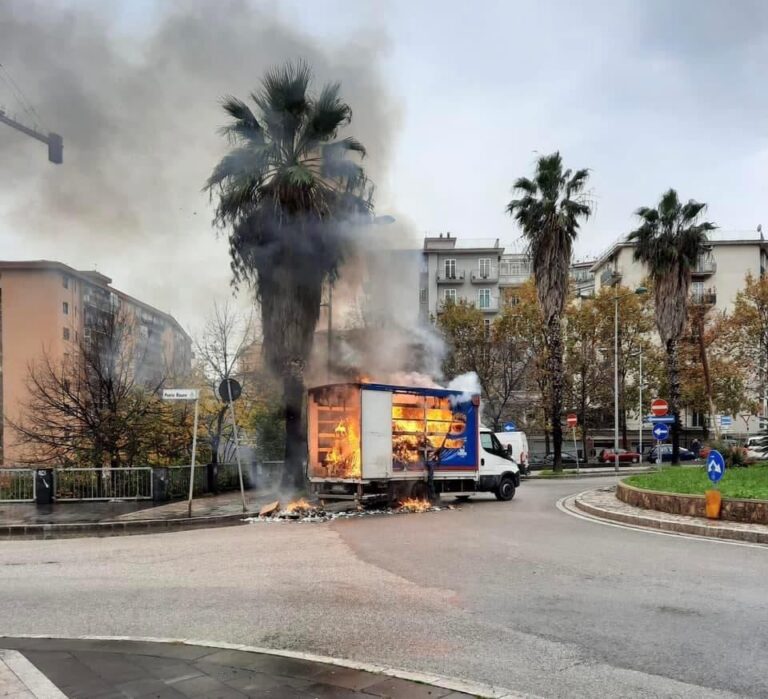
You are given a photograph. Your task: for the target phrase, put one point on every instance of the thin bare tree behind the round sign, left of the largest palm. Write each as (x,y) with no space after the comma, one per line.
(220,350)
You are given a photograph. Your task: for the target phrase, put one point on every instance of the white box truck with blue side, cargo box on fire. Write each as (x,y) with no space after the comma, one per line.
(375,441)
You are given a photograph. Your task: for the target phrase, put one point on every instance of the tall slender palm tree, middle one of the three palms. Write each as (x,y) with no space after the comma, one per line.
(548,212)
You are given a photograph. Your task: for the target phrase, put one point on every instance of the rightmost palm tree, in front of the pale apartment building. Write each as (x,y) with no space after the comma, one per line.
(670,240)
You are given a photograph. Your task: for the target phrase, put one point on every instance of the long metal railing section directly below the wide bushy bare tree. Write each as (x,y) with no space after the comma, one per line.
(103,484)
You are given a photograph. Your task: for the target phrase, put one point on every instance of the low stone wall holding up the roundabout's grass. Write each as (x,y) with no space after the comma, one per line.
(733,509)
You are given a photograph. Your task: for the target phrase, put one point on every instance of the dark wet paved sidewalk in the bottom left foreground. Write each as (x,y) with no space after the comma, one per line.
(107,669)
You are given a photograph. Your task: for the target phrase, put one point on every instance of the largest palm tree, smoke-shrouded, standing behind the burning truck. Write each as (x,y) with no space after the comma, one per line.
(285,191)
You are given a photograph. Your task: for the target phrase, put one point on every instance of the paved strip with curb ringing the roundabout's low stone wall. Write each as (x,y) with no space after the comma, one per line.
(603,504)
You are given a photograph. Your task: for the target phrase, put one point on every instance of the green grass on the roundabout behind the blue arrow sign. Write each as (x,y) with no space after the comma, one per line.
(750,482)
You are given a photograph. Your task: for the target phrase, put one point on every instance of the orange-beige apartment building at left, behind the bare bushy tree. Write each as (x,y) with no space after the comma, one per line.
(47,308)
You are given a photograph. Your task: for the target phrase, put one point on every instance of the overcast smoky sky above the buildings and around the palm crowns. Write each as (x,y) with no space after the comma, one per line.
(454,99)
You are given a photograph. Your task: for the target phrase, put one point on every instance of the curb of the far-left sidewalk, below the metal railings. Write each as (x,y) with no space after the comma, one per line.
(114,528)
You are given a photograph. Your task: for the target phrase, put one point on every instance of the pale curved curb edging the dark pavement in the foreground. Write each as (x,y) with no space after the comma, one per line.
(456,685)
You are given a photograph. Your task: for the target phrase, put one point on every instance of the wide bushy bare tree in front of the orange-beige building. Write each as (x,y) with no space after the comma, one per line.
(91,407)
